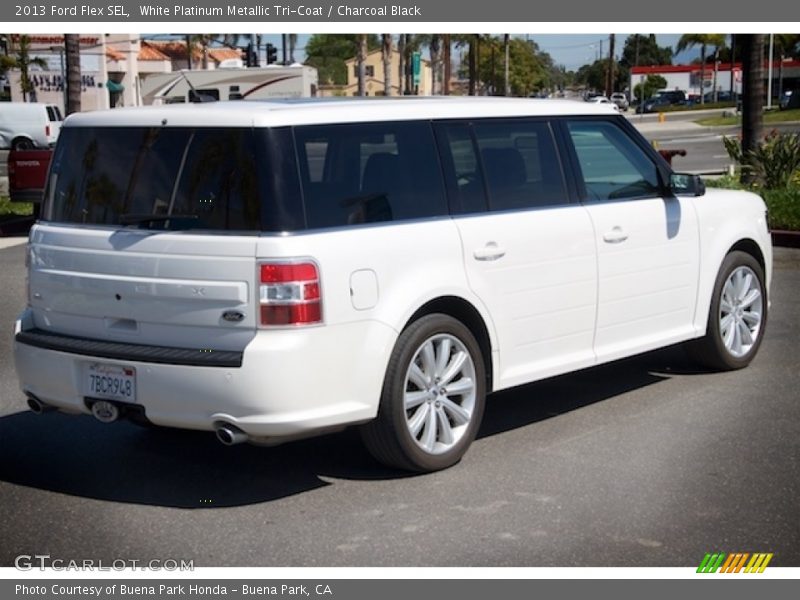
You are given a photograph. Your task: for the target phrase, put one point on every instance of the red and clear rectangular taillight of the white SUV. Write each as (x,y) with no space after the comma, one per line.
(289,294)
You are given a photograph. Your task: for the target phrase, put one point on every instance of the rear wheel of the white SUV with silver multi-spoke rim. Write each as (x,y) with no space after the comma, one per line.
(389,437)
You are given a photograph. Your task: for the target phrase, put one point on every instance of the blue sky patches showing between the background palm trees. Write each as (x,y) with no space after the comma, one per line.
(571,50)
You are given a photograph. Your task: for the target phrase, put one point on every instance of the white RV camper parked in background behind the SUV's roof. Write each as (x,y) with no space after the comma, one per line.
(259,83)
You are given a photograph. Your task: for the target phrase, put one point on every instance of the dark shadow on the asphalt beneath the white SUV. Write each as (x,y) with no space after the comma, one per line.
(121,462)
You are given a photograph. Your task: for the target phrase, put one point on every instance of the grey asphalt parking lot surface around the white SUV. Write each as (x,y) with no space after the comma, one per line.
(644,462)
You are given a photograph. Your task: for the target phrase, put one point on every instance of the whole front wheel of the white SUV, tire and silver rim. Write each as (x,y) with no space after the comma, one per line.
(737,317)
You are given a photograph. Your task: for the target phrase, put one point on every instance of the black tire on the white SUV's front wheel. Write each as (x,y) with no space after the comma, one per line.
(711,351)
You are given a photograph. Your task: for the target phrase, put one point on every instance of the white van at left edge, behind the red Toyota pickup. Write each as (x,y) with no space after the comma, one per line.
(26,125)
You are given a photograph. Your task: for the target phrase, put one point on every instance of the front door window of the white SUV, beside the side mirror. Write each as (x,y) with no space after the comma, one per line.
(613,165)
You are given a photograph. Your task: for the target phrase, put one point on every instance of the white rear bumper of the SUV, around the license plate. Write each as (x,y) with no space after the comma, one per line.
(290,382)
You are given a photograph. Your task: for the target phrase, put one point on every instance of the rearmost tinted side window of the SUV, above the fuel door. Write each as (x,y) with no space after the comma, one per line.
(369,172)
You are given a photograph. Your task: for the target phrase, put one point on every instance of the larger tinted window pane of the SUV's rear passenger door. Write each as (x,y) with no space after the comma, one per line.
(520,164)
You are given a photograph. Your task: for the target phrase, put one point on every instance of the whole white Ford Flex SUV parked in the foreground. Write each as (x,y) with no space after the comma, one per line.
(274,270)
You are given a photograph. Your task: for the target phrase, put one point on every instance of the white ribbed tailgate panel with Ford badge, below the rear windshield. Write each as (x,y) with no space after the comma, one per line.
(167,288)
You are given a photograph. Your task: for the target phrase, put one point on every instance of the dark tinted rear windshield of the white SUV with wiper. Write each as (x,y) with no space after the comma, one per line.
(157,178)
